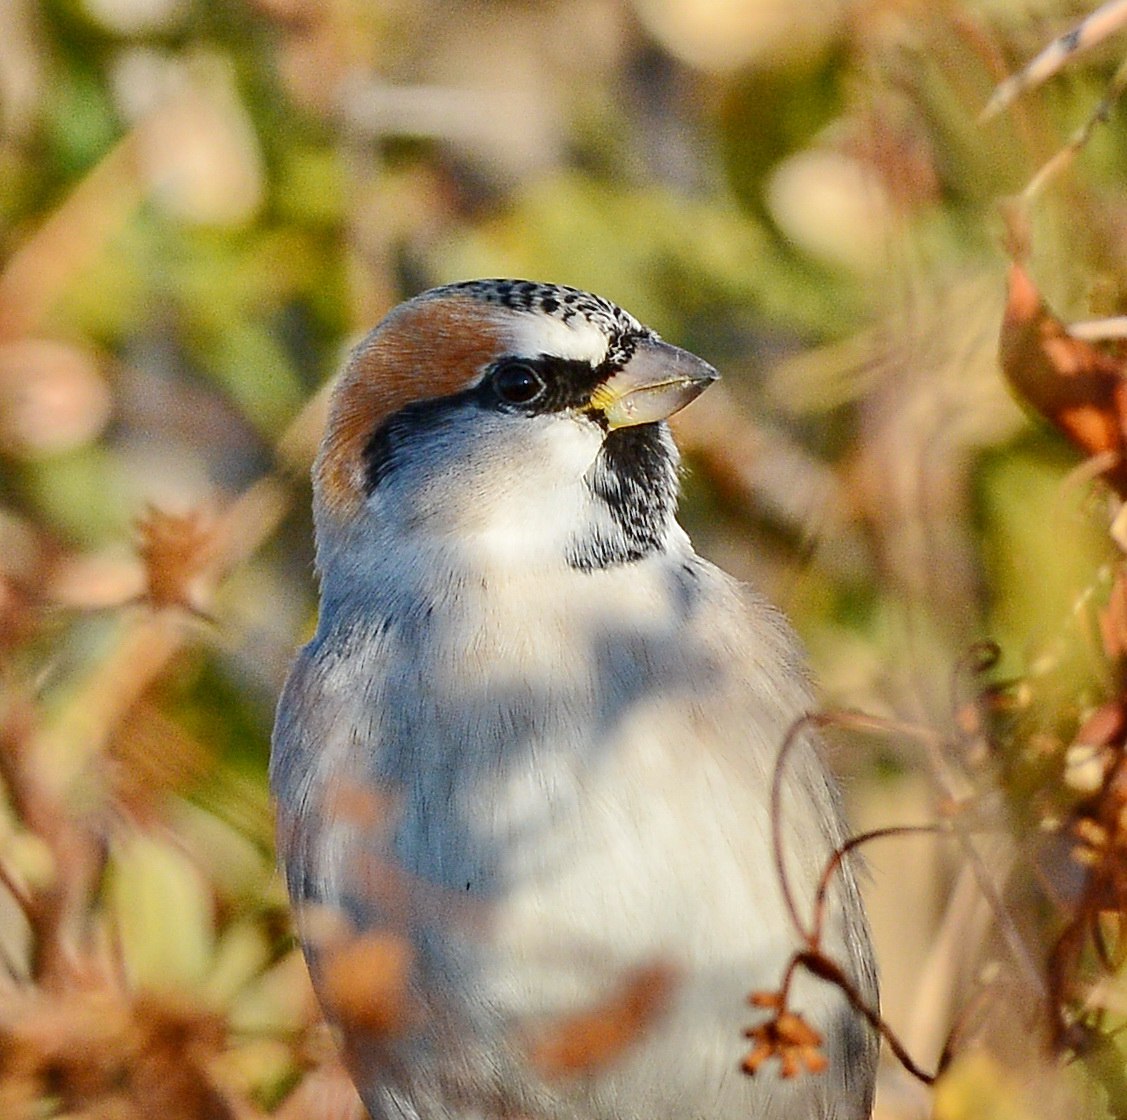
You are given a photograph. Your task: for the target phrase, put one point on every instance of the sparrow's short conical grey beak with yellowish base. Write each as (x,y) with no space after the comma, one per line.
(656,383)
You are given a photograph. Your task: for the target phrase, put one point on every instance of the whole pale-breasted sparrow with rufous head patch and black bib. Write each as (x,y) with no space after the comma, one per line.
(527,759)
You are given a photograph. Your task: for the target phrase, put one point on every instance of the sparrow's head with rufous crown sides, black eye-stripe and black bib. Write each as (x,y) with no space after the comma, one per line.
(519,421)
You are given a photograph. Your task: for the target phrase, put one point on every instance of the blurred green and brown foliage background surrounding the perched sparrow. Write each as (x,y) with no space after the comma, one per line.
(203,202)
